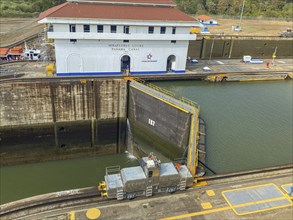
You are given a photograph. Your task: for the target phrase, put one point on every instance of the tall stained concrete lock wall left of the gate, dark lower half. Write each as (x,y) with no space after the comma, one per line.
(61,119)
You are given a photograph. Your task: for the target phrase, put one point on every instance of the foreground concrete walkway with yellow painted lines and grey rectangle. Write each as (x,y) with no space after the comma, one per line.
(258,196)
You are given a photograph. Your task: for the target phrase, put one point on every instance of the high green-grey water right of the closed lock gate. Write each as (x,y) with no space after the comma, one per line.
(249,125)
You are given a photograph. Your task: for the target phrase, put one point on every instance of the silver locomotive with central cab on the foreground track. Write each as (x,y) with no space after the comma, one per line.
(149,178)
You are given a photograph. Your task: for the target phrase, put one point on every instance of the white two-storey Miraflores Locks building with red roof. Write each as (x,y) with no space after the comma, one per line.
(101,37)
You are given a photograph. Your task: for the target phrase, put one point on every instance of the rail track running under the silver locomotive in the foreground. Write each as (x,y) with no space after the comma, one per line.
(51,202)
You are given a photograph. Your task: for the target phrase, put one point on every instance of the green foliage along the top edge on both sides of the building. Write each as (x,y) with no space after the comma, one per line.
(254,8)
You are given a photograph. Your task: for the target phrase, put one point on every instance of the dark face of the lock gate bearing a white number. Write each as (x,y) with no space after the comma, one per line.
(160,125)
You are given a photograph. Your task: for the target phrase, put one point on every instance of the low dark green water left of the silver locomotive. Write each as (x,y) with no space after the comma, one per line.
(27,180)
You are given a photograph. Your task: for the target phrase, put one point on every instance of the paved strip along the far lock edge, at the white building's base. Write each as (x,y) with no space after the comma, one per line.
(235,66)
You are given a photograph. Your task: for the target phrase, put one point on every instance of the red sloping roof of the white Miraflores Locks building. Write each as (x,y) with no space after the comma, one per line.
(115,12)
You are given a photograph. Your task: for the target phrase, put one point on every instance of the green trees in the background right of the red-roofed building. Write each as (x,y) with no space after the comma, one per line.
(253,8)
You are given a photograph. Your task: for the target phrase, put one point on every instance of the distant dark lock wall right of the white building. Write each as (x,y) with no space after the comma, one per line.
(236,47)
